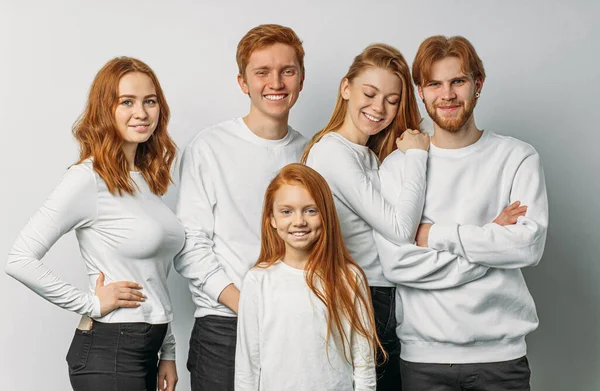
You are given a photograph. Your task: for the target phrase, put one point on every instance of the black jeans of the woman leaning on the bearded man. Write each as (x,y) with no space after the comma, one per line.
(384,305)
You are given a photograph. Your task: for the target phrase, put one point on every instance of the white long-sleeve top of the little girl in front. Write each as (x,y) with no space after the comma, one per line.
(281,338)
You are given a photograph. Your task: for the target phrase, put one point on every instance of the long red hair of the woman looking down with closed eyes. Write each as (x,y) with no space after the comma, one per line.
(383,143)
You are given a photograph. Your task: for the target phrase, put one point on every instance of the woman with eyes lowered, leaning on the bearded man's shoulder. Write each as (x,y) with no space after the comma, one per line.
(376,106)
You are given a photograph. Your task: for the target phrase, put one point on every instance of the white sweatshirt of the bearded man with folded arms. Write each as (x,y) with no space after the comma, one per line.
(464,299)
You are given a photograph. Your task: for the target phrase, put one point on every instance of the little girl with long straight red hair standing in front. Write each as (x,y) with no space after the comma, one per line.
(305,316)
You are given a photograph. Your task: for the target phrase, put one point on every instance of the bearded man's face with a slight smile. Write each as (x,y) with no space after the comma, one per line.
(449,96)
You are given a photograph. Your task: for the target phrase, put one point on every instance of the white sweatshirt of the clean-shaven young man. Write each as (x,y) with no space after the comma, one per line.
(225,171)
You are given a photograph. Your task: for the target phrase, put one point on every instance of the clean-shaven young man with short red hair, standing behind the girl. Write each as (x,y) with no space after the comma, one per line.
(225,171)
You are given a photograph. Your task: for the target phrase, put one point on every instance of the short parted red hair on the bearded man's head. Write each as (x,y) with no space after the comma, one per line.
(439,47)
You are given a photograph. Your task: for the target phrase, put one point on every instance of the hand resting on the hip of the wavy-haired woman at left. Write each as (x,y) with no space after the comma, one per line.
(122,294)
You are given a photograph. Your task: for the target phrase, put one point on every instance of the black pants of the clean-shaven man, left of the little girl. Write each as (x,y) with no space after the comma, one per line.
(211,359)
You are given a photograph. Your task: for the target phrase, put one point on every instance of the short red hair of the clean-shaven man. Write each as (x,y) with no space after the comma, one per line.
(266,35)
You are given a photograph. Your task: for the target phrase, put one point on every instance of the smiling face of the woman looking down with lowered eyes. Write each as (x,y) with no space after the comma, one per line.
(373,98)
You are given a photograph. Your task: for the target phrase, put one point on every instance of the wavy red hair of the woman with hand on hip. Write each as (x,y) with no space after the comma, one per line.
(98,137)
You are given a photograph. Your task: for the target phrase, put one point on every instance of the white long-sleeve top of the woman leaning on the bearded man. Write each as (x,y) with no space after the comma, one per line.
(352,172)
